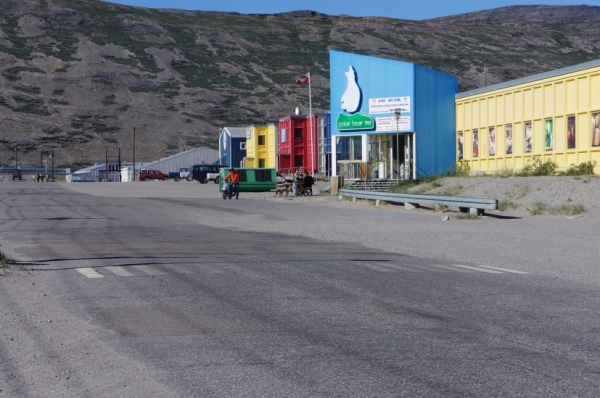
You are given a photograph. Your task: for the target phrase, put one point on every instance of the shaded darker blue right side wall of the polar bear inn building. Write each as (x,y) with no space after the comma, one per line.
(435,120)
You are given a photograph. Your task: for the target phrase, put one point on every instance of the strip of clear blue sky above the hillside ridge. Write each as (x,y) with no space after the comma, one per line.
(419,9)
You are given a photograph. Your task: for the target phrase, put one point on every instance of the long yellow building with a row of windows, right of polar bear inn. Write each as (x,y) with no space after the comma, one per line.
(553,115)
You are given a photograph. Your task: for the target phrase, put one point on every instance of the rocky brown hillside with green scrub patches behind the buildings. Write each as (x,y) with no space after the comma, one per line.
(77,76)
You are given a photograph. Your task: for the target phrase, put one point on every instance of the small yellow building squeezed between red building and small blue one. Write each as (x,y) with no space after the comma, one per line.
(261,146)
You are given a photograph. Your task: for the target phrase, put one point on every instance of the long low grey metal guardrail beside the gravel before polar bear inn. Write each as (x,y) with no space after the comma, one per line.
(463,203)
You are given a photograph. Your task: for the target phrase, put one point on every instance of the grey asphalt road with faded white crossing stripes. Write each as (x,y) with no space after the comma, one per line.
(145,300)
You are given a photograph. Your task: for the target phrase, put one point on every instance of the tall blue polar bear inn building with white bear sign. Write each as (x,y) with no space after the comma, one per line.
(390,119)
